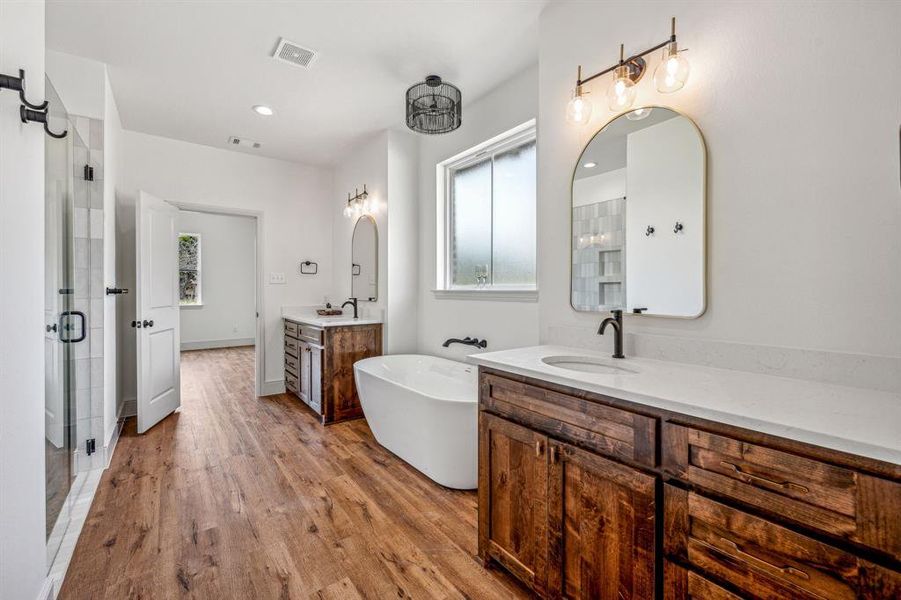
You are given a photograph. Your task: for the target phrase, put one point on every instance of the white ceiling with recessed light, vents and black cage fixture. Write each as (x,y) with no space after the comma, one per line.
(193,70)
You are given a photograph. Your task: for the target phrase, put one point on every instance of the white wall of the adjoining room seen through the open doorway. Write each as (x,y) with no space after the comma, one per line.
(226,316)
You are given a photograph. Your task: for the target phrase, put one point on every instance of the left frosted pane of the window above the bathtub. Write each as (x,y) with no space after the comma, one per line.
(471,214)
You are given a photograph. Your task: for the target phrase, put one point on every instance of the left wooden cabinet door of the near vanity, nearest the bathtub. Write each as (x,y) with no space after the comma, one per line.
(513,499)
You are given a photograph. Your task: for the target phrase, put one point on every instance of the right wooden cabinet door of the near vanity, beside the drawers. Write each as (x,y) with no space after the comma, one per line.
(600,527)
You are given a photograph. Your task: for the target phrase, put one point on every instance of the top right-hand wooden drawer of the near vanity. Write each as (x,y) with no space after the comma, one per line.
(815,494)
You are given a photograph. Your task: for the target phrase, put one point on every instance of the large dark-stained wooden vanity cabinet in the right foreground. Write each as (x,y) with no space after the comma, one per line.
(587,496)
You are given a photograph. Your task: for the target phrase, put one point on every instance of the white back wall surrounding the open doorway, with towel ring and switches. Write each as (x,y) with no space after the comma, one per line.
(293,200)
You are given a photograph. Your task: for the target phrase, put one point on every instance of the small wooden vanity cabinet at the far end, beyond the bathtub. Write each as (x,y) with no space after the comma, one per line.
(319,366)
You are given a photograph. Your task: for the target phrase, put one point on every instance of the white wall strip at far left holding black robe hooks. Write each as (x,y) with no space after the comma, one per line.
(23,565)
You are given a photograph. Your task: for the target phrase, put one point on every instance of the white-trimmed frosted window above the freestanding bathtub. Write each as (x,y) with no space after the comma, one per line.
(487,232)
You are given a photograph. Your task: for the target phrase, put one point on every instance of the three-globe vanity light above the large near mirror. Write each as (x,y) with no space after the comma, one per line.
(669,76)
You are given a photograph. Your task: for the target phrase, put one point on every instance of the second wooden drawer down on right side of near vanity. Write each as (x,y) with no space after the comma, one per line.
(762,558)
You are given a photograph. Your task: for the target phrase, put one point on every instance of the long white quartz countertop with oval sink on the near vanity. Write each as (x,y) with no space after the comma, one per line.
(854,420)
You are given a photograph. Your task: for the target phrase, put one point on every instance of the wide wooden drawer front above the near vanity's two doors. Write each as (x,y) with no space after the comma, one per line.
(604,429)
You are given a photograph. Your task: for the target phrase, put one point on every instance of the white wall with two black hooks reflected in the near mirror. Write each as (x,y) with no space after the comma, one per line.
(665,181)
